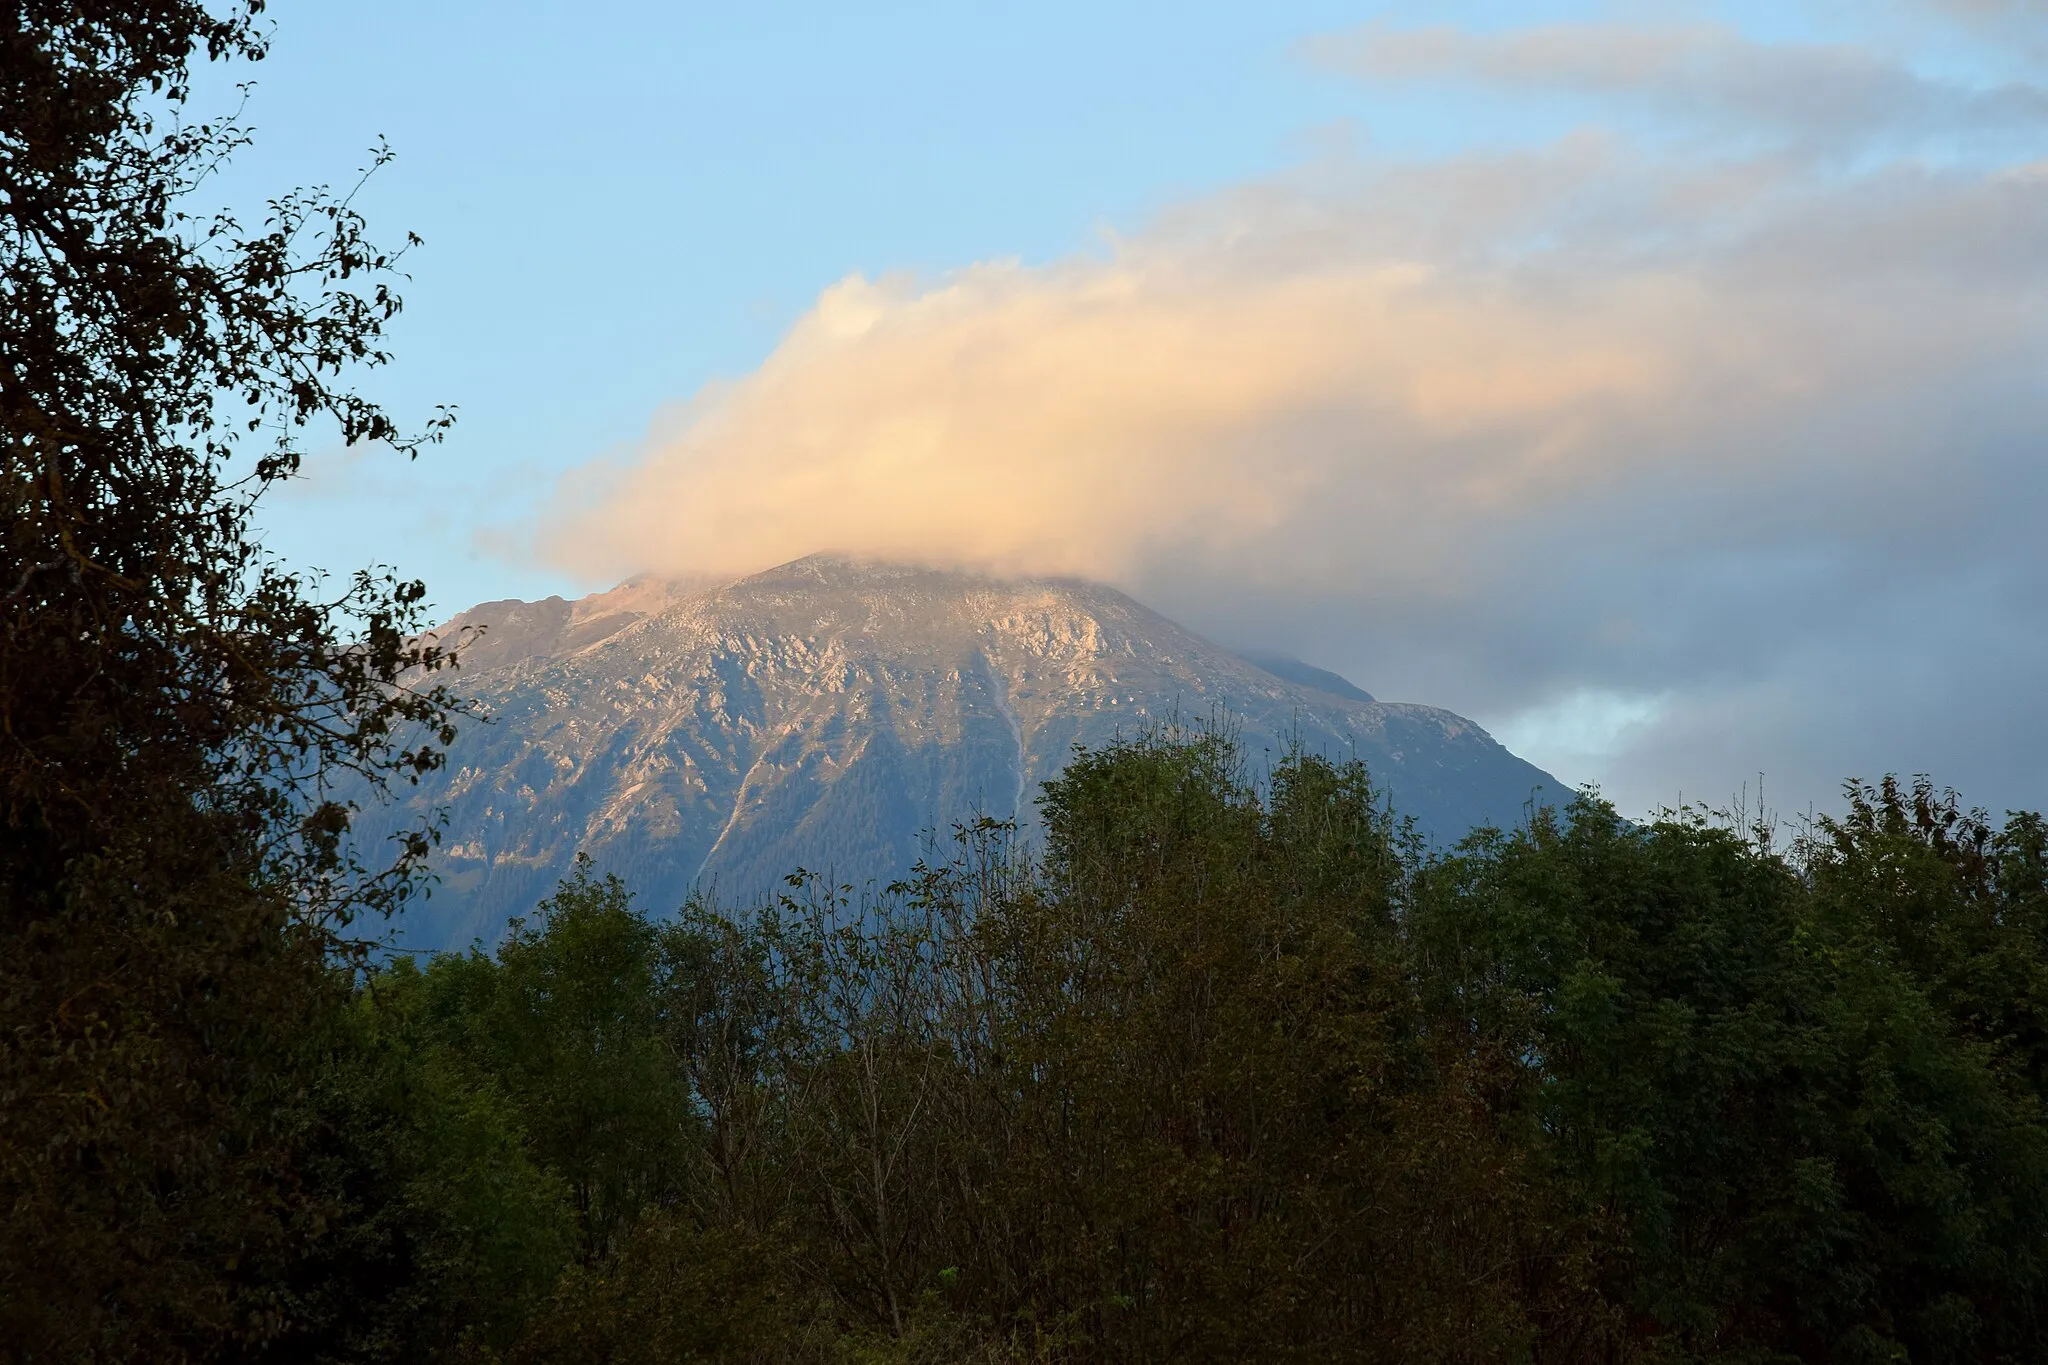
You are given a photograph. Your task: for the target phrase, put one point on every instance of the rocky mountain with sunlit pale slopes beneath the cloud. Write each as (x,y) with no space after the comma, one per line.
(830,711)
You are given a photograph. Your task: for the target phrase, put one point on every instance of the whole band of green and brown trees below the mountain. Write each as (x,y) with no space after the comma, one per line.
(1236,1073)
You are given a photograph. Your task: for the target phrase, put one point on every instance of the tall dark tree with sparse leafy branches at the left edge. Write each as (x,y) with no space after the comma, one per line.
(177,709)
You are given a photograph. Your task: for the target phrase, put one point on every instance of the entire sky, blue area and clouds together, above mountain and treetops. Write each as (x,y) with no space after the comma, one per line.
(1662,386)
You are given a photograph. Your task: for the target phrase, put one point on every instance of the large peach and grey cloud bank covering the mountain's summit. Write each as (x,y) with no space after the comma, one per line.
(1701,441)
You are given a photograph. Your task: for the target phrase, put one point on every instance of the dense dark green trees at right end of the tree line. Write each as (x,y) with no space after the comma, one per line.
(1752,1080)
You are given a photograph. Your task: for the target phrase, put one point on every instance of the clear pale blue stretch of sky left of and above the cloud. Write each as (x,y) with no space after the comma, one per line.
(628,202)
